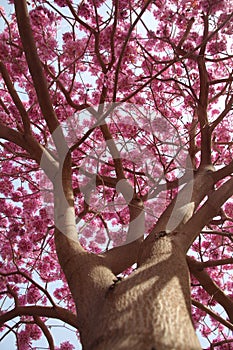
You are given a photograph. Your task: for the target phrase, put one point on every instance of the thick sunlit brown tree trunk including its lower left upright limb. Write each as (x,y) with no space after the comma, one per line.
(148,310)
